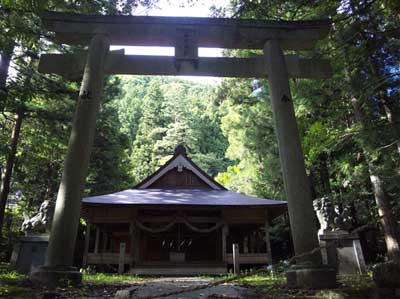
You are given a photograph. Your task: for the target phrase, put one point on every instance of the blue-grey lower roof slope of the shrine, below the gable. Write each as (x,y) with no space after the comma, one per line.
(192,197)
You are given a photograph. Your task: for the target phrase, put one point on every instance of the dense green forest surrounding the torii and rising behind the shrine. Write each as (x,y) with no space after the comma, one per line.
(349,124)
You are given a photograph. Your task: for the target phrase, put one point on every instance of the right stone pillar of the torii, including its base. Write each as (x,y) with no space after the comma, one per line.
(308,271)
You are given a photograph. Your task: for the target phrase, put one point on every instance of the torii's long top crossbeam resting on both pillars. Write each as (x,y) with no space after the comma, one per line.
(167,31)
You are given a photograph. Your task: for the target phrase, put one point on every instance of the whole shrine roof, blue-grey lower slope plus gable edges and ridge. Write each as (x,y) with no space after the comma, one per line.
(144,195)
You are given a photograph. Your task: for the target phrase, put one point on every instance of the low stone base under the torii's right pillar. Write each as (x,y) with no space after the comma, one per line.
(309,277)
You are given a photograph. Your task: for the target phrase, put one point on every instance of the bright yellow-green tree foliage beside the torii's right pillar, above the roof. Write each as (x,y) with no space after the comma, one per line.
(247,123)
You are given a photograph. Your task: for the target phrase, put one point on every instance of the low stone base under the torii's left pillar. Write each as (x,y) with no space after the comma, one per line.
(57,276)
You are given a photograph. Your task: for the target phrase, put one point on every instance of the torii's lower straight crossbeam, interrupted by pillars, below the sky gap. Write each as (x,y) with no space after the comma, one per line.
(71,66)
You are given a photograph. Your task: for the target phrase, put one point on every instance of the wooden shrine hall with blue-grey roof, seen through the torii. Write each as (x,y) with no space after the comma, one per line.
(178,221)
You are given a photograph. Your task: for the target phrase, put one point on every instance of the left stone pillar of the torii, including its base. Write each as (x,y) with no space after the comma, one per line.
(58,267)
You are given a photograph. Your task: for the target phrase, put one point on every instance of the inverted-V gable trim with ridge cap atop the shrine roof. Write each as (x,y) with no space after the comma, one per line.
(180,161)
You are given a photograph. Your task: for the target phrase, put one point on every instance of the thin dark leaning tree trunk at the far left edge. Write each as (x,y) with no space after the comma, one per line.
(7,172)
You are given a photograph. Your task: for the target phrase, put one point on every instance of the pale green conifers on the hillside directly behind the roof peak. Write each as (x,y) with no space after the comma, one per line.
(170,112)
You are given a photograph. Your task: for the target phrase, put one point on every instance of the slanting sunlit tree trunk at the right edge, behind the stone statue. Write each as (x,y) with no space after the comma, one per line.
(382,199)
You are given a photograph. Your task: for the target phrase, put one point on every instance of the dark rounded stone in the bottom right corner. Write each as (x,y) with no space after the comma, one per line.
(387,275)
